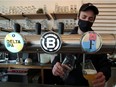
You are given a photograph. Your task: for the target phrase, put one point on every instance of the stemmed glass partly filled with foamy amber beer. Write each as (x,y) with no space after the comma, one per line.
(89,71)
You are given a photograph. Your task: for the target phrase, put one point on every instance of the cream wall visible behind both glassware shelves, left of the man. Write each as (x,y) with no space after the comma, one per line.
(50,4)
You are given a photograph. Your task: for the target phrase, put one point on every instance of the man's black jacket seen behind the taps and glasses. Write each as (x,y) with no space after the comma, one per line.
(100,61)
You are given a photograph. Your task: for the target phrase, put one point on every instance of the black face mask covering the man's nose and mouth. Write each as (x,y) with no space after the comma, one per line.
(85,25)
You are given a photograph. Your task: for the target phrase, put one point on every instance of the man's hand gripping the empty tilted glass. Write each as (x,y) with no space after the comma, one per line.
(58,70)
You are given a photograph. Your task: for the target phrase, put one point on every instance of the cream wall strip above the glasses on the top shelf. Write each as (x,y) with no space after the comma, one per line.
(39,3)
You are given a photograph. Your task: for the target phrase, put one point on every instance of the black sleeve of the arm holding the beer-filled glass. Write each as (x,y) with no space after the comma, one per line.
(102,64)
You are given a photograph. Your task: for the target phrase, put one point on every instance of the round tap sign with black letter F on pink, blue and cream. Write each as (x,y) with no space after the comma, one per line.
(91,42)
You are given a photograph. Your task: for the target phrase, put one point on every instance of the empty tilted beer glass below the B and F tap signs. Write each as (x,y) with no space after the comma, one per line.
(68,65)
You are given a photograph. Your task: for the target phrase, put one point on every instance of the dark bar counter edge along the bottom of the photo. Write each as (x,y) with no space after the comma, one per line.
(14,84)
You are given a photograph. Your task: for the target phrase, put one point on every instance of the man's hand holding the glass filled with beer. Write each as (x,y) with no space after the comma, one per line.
(99,80)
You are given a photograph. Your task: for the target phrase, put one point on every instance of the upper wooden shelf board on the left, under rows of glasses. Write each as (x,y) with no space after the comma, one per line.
(22,16)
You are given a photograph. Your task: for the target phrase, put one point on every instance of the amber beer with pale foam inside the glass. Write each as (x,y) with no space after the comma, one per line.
(90,76)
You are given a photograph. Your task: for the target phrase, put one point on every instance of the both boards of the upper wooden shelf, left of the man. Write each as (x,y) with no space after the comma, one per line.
(40,16)
